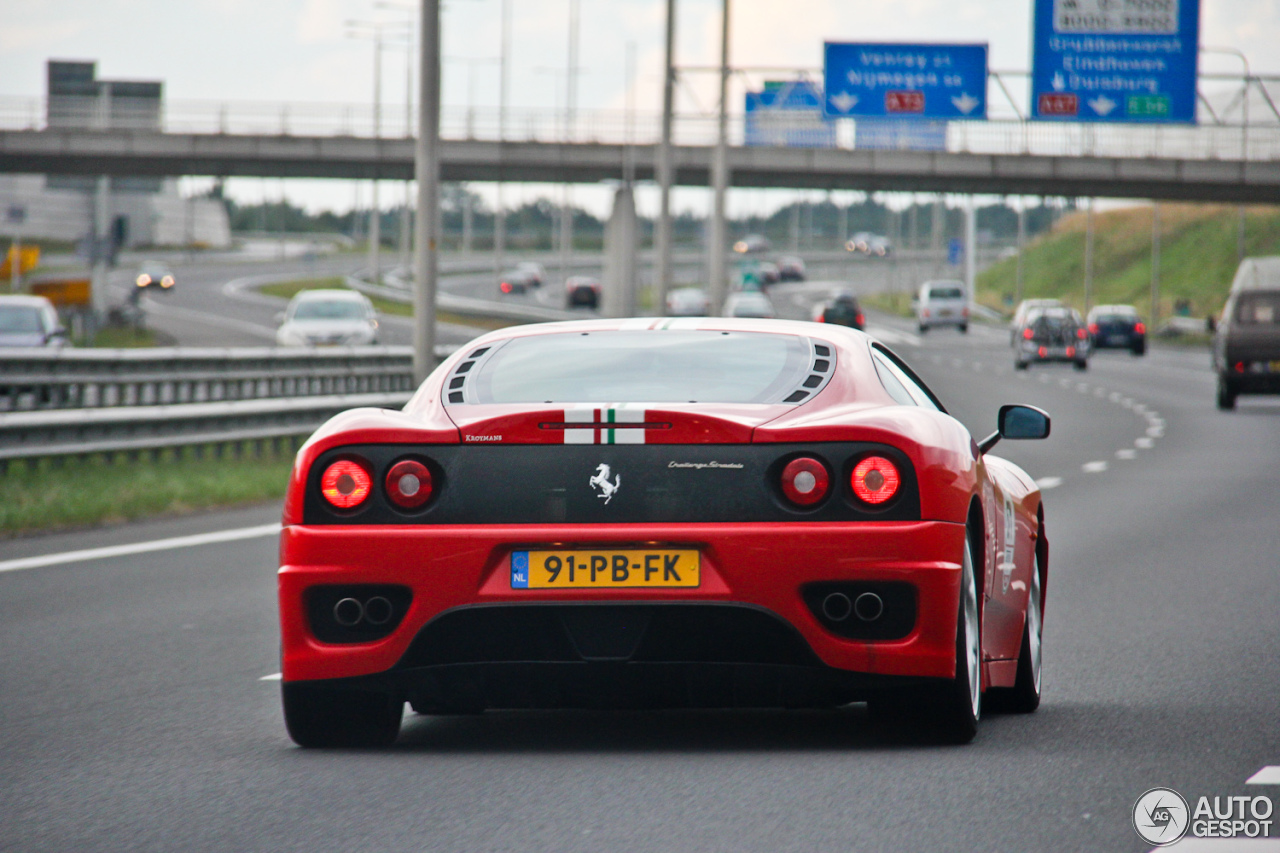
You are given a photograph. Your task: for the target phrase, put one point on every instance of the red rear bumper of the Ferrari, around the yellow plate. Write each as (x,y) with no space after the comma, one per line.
(748,569)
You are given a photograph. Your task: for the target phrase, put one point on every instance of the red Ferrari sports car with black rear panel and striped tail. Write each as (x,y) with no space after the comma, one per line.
(661,514)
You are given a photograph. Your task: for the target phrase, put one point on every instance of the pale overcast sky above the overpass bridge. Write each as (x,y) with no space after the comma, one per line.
(299,51)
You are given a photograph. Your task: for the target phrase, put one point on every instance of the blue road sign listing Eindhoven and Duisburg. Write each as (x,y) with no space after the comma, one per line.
(1116,61)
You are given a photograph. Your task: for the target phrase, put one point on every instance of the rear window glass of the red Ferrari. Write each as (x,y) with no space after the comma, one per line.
(674,367)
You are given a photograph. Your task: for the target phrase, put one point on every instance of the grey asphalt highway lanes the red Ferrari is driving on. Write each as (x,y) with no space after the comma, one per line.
(134,714)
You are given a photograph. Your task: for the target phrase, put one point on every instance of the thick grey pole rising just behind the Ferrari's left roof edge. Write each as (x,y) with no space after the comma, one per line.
(427,162)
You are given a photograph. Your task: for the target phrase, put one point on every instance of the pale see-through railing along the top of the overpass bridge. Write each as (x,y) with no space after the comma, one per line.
(1220,135)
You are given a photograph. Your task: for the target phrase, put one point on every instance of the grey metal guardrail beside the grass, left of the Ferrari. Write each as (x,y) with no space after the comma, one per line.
(79,403)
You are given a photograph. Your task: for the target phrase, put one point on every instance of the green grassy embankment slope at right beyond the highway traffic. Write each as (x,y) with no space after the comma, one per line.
(1197,259)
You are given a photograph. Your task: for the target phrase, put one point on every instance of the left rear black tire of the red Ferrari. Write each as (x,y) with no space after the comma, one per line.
(326,718)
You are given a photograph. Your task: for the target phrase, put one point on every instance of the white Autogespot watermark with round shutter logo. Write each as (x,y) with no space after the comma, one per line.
(1163,816)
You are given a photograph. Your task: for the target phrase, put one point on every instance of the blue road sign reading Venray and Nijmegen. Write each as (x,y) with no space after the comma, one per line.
(906,81)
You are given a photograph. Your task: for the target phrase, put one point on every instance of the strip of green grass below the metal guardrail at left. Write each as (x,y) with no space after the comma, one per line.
(94,492)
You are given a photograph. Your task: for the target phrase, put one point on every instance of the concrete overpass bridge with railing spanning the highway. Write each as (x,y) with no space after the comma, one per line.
(1204,163)
